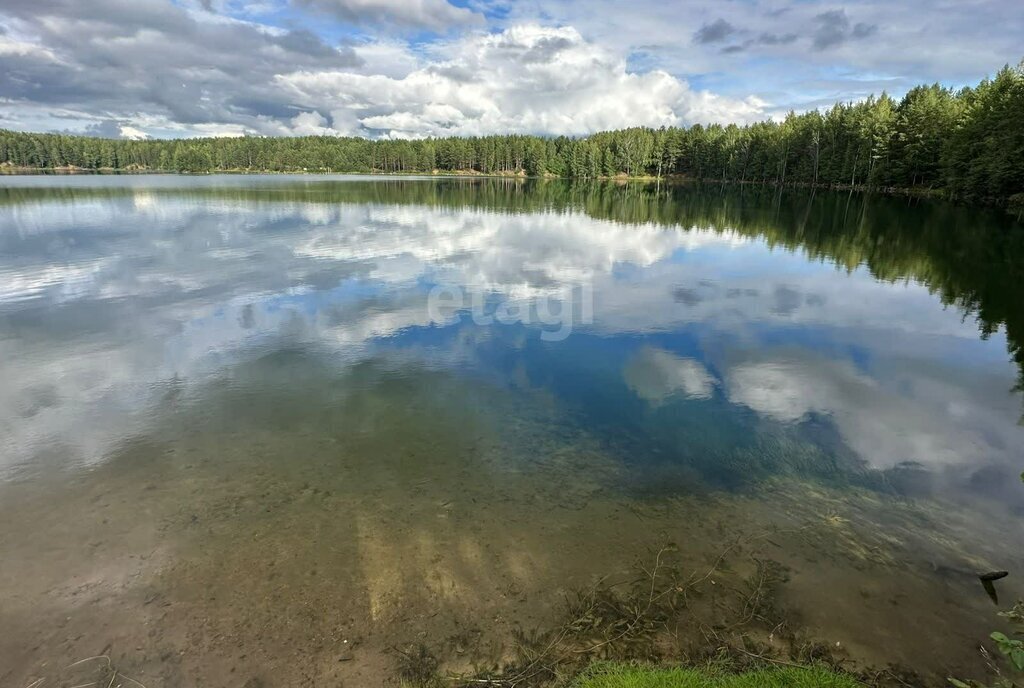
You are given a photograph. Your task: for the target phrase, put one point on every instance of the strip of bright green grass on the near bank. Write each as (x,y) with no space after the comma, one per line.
(633,676)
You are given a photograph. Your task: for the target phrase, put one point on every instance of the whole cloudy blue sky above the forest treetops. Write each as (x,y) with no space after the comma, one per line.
(419,68)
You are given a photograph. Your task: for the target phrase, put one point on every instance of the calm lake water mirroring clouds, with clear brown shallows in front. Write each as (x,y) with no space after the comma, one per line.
(265,431)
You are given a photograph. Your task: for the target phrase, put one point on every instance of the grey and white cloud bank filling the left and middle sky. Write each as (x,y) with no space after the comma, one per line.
(119,68)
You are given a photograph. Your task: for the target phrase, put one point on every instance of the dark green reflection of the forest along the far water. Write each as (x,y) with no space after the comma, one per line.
(972,259)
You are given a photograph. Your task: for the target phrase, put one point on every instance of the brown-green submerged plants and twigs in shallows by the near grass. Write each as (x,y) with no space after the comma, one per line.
(726,616)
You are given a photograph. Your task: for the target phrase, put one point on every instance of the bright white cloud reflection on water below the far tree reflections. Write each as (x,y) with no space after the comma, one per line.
(526,254)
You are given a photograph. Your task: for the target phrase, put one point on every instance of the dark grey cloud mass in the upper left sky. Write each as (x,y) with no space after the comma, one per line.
(153,65)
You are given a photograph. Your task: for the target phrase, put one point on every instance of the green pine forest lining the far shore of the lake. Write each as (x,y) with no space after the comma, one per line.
(964,145)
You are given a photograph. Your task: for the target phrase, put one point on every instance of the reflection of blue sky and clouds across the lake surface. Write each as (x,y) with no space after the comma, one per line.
(107,300)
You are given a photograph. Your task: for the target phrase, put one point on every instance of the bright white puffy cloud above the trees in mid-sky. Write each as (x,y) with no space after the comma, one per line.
(528,79)
